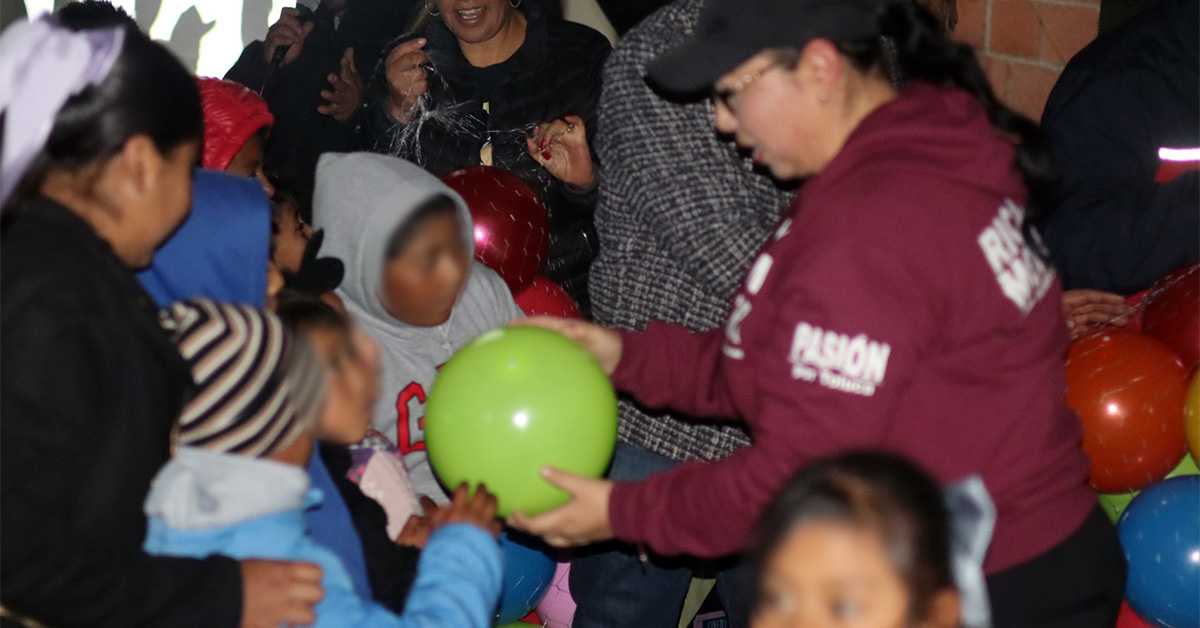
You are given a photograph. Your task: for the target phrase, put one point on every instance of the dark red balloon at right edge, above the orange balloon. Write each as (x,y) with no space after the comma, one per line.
(1173,314)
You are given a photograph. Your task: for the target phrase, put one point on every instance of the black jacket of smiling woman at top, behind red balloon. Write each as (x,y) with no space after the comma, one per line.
(556,73)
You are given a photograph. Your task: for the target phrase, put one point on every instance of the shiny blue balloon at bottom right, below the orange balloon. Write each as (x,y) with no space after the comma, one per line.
(1161,535)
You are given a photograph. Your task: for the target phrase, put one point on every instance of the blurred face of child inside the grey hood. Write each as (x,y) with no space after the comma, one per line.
(422,284)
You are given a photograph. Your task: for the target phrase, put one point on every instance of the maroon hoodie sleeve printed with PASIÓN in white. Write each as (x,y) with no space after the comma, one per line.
(806,402)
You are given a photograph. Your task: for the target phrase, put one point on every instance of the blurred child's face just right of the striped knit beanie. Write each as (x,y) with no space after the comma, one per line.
(347,414)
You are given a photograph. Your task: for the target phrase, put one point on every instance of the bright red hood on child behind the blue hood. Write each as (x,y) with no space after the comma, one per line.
(232,115)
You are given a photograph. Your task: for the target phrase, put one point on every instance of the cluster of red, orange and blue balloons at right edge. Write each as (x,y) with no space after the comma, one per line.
(1138,396)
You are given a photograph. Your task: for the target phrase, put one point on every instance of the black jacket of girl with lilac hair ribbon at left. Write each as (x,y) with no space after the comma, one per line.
(89,392)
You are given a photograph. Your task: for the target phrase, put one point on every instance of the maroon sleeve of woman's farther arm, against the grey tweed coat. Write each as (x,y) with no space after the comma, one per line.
(669,367)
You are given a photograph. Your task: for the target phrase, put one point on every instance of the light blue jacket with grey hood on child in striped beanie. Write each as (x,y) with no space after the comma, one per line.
(205,504)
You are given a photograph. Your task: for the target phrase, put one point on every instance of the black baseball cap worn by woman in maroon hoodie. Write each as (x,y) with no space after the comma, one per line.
(731,32)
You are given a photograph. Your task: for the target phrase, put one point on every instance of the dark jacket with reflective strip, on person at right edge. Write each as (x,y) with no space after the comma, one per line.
(1130,93)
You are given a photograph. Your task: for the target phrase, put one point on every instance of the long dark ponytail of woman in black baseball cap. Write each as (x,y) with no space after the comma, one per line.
(913,46)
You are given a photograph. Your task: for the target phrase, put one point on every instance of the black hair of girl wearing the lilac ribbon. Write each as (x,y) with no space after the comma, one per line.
(148,92)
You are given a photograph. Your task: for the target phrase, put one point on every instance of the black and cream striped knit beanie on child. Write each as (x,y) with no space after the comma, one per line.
(259,387)
